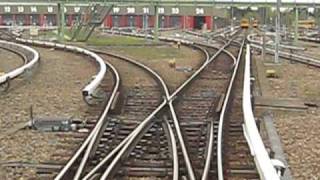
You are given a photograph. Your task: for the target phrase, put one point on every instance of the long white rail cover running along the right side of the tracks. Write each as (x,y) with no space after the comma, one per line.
(258,151)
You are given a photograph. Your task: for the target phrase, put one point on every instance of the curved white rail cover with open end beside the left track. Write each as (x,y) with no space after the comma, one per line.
(89,89)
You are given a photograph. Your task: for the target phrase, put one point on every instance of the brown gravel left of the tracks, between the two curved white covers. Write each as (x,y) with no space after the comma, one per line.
(54,90)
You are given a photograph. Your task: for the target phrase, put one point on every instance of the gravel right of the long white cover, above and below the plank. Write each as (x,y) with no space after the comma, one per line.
(299,131)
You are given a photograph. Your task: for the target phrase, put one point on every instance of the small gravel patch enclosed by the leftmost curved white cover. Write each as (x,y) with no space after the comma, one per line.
(9,60)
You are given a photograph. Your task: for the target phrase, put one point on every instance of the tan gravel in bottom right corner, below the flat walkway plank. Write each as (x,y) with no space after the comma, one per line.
(299,132)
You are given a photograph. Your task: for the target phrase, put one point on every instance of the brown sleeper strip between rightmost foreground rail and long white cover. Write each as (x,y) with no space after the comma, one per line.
(236,156)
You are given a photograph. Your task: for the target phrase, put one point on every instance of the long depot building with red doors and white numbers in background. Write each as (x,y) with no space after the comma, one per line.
(47,14)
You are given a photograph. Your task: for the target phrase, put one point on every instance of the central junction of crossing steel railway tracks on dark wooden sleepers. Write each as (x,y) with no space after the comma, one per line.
(170,135)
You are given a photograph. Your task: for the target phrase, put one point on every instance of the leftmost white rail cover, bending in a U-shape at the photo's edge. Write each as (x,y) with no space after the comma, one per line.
(16,72)
